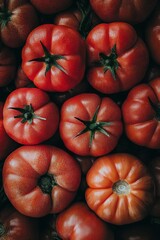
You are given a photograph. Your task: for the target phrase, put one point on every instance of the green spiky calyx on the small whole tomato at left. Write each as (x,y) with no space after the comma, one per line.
(27,114)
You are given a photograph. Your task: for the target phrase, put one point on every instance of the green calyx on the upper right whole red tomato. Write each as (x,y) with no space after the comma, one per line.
(109,62)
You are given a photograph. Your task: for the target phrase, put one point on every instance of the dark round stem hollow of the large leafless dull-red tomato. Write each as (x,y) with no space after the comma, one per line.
(46,182)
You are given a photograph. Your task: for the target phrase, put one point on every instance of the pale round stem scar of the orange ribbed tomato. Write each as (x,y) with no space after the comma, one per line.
(121,187)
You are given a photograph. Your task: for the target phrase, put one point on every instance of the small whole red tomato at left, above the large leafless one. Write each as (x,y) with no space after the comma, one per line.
(29,117)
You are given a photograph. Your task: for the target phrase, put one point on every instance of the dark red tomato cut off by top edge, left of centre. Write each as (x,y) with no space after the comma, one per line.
(50,6)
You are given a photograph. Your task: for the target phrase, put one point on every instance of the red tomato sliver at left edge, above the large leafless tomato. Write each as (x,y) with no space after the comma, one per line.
(6,143)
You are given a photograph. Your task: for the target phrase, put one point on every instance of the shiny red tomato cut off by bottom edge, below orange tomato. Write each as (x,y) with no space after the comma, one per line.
(79,222)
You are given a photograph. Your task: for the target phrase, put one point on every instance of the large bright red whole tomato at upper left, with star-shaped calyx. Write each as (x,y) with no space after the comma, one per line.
(67,68)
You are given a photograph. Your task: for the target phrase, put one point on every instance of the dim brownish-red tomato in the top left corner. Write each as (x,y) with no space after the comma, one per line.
(17,20)
